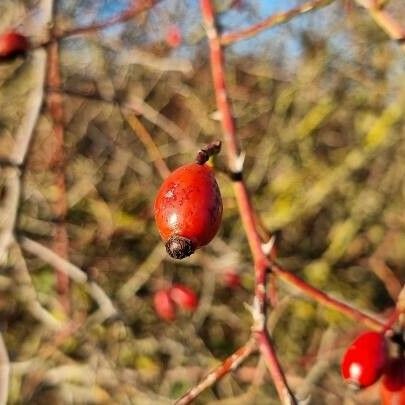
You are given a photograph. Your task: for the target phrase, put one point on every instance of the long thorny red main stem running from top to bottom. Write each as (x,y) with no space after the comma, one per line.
(245,207)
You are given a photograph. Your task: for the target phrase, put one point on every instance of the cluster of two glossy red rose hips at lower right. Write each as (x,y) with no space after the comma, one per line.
(367,360)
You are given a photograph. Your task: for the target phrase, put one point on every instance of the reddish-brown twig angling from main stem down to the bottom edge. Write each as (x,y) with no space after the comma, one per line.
(229,364)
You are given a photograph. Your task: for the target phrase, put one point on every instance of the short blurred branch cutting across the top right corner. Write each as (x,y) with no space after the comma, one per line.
(382,18)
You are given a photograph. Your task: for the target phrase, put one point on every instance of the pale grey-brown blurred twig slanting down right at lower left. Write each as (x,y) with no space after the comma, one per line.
(74,272)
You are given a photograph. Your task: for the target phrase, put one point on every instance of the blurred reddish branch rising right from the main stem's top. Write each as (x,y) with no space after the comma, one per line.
(273,20)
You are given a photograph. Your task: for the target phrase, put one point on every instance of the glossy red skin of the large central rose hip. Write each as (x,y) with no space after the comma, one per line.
(189,204)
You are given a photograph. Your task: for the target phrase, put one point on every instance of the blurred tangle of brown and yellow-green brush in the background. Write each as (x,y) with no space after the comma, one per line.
(319,104)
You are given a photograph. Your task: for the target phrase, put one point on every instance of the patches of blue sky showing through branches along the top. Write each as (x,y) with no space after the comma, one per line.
(232,20)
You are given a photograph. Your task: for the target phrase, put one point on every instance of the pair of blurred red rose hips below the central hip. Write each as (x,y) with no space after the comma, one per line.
(179,296)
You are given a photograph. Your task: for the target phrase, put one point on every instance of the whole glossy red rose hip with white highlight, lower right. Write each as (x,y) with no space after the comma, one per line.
(365,359)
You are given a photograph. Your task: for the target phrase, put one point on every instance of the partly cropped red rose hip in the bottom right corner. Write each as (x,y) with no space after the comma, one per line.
(392,387)
